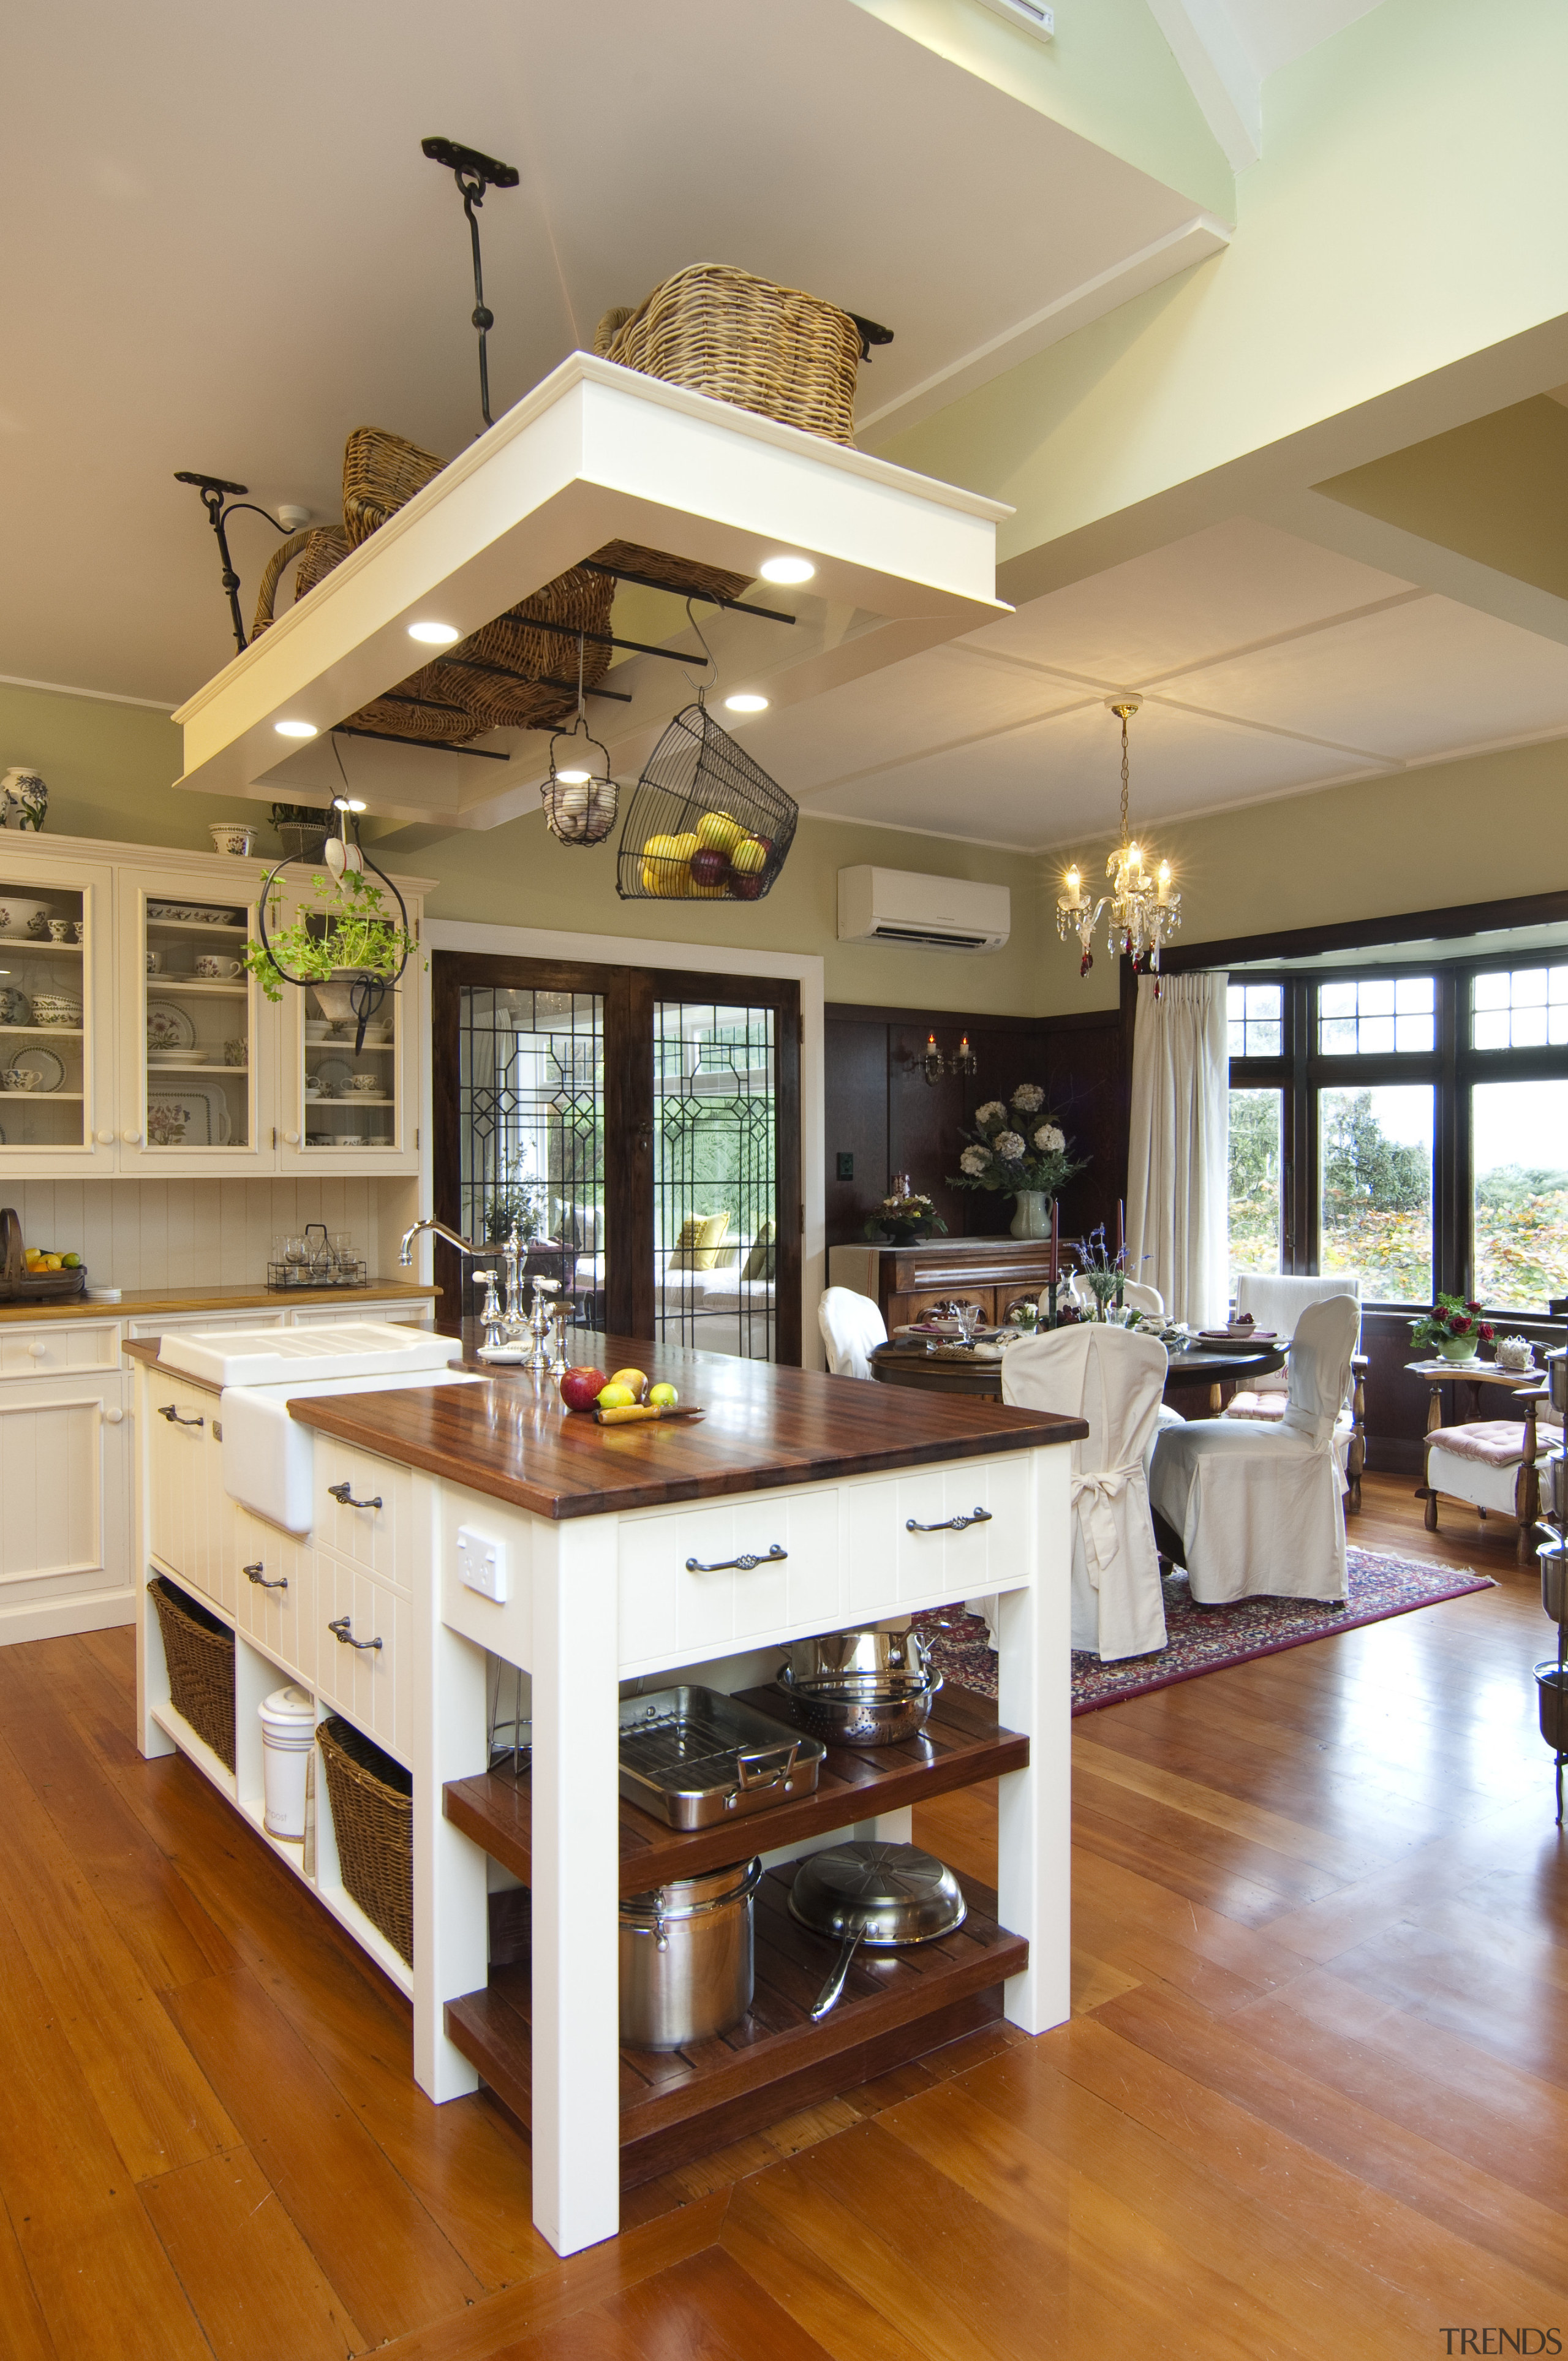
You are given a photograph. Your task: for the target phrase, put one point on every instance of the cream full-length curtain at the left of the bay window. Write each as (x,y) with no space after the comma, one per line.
(1177,1170)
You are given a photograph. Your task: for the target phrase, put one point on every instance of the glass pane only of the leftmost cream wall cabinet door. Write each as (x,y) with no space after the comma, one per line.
(46,1016)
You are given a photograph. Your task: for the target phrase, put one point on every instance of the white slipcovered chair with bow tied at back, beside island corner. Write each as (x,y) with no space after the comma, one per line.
(1113,1380)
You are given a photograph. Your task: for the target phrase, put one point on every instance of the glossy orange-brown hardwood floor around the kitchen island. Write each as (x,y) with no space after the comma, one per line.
(1314,2098)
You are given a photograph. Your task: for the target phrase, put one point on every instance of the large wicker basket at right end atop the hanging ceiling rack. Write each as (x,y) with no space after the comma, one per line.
(745,341)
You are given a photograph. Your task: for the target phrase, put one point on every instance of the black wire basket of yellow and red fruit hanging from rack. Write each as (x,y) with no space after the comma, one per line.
(705,820)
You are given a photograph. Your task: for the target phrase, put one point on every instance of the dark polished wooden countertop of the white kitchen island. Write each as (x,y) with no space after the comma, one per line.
(766,1427)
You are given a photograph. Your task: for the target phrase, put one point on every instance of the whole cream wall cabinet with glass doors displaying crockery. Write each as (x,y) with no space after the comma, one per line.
(136,1042)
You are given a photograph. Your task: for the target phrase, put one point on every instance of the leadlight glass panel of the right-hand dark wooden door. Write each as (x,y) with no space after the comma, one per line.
(717,1177)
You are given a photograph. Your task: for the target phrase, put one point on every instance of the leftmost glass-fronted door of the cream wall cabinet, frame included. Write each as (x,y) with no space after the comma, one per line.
(55,1012)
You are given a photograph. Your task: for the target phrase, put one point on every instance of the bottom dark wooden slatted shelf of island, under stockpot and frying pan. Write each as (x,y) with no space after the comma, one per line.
(686,2102)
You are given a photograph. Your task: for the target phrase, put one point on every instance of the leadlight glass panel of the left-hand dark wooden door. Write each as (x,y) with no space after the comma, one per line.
(533,1130)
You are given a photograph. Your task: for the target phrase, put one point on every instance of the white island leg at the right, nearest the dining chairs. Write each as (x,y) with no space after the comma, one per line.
(1035,1805)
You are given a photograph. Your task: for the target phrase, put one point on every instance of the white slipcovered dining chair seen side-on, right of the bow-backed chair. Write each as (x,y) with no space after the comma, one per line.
(1260,1507)
